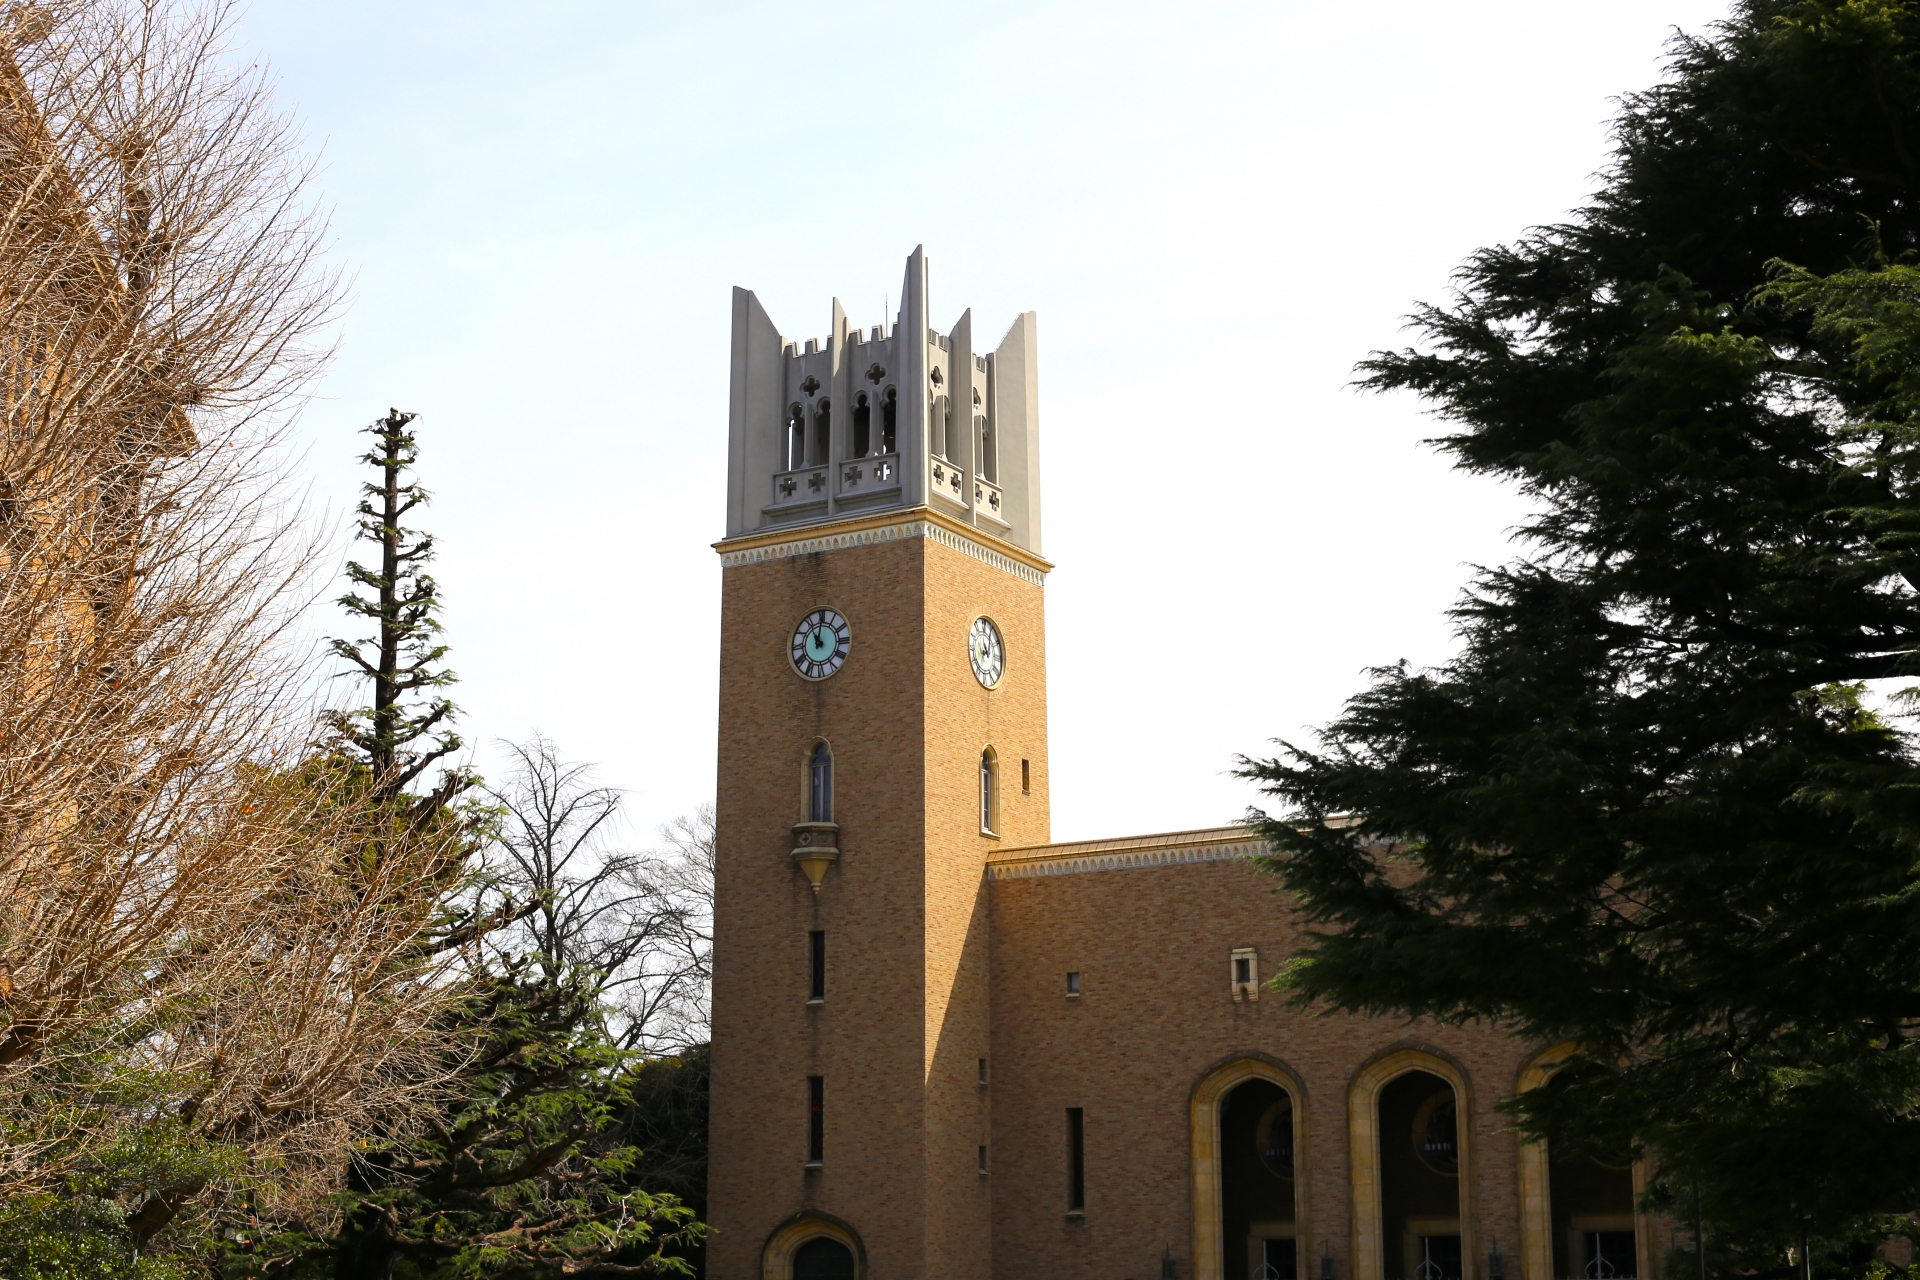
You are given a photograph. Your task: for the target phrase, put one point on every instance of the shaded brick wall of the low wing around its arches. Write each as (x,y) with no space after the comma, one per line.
(1155,1018)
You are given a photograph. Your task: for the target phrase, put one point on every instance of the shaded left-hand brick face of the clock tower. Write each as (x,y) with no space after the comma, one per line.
(767,1039)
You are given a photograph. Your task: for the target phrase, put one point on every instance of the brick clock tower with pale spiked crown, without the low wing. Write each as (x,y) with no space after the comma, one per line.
(882,732)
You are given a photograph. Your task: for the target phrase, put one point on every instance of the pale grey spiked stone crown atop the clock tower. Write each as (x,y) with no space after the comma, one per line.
(882,419)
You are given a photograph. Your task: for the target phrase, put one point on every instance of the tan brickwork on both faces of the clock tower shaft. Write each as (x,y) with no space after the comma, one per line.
(905,1020)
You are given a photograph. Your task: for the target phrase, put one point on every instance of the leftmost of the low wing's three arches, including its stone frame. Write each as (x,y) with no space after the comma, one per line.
(1249,1197)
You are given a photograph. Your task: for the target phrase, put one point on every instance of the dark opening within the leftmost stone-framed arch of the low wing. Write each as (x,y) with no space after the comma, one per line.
(1257,1175)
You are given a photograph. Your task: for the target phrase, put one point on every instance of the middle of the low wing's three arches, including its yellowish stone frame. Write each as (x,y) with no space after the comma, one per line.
(1410,1122)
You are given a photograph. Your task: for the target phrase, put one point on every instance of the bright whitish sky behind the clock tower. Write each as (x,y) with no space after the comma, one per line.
(1216,210)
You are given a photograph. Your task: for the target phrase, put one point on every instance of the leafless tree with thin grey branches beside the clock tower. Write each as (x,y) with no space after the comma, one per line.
(635,928)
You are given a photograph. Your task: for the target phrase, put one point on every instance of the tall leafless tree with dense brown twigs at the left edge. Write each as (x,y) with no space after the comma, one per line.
(197,932)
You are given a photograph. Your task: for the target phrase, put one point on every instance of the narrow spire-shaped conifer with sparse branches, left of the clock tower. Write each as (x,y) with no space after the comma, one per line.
(398,738)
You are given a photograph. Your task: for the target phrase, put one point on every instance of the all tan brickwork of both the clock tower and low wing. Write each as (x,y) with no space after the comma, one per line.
(932,968)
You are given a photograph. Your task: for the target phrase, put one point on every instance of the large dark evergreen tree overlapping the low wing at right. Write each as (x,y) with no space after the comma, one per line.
(1648,809)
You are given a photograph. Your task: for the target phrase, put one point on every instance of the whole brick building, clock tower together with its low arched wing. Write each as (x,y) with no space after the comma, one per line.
(946,1047)
